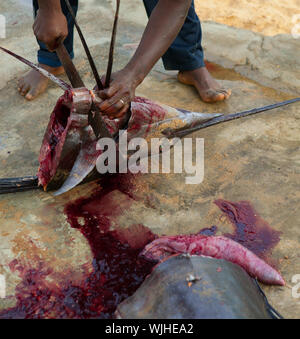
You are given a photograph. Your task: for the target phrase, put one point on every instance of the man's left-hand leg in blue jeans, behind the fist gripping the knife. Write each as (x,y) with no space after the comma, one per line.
(33,83)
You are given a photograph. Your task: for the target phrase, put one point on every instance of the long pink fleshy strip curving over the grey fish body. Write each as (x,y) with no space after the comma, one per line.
(218,247)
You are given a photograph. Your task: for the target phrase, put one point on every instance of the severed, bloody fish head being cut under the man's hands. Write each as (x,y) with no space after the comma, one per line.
(69,150)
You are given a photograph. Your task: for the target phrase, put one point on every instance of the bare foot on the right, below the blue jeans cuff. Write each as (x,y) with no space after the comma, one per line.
(207,87)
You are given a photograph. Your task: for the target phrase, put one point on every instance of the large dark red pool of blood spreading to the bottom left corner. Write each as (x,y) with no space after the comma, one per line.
(117,272)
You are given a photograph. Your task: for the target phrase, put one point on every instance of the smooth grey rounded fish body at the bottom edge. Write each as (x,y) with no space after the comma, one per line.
(197,287)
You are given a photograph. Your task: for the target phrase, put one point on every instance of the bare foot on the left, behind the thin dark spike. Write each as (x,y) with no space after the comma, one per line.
(33,83)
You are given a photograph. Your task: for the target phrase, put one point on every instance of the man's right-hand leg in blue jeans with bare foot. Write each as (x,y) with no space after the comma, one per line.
(186,55)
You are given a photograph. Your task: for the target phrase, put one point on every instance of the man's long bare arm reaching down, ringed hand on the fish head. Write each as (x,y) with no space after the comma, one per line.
(164,24)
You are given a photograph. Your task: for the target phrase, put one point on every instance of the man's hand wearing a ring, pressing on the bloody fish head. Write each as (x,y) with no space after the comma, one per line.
(120,93)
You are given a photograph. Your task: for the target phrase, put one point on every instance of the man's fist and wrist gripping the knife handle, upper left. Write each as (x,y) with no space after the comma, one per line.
(50,25)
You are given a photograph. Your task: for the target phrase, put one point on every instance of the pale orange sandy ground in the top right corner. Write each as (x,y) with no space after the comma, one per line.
(262,16)
